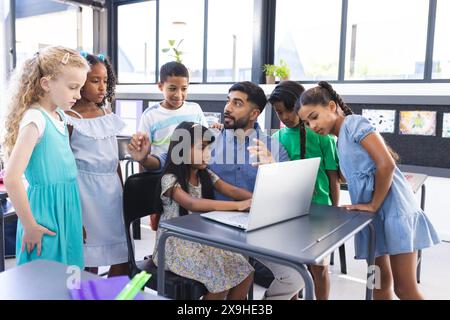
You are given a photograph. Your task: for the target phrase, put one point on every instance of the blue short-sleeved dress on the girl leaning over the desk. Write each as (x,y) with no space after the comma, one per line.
(400,224)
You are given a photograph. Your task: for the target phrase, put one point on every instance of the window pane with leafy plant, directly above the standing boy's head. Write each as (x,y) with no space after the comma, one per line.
(182,22)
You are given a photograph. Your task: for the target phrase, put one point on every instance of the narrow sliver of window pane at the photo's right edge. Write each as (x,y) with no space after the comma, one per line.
(441,51)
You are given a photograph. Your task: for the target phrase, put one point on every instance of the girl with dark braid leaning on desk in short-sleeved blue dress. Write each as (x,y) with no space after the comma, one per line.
(376,185)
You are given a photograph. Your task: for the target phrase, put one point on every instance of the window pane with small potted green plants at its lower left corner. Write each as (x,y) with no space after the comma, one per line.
(307,37)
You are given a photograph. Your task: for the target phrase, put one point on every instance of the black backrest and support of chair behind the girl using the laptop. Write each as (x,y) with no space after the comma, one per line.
(138,201)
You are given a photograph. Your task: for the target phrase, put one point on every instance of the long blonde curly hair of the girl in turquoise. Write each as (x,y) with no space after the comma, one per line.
(25,88)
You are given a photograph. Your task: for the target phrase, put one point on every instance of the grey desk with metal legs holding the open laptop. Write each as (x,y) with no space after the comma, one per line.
(304,240)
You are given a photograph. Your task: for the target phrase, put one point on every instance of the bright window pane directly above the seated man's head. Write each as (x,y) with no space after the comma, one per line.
(230,40)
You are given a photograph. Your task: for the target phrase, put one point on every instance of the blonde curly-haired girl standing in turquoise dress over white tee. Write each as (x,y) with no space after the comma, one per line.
(37,144)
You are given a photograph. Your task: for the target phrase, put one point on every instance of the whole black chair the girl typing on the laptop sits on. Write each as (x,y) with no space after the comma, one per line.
(138,202)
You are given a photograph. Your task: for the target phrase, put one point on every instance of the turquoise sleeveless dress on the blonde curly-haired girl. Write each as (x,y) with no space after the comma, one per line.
(54,199)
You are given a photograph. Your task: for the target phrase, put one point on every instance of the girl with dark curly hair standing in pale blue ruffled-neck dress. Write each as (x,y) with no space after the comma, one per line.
(94,144)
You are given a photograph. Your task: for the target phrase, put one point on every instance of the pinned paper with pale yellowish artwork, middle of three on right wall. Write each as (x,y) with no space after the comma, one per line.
(421,123)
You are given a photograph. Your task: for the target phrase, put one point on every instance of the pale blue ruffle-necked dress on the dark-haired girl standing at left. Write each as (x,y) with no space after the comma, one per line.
(94,145)
